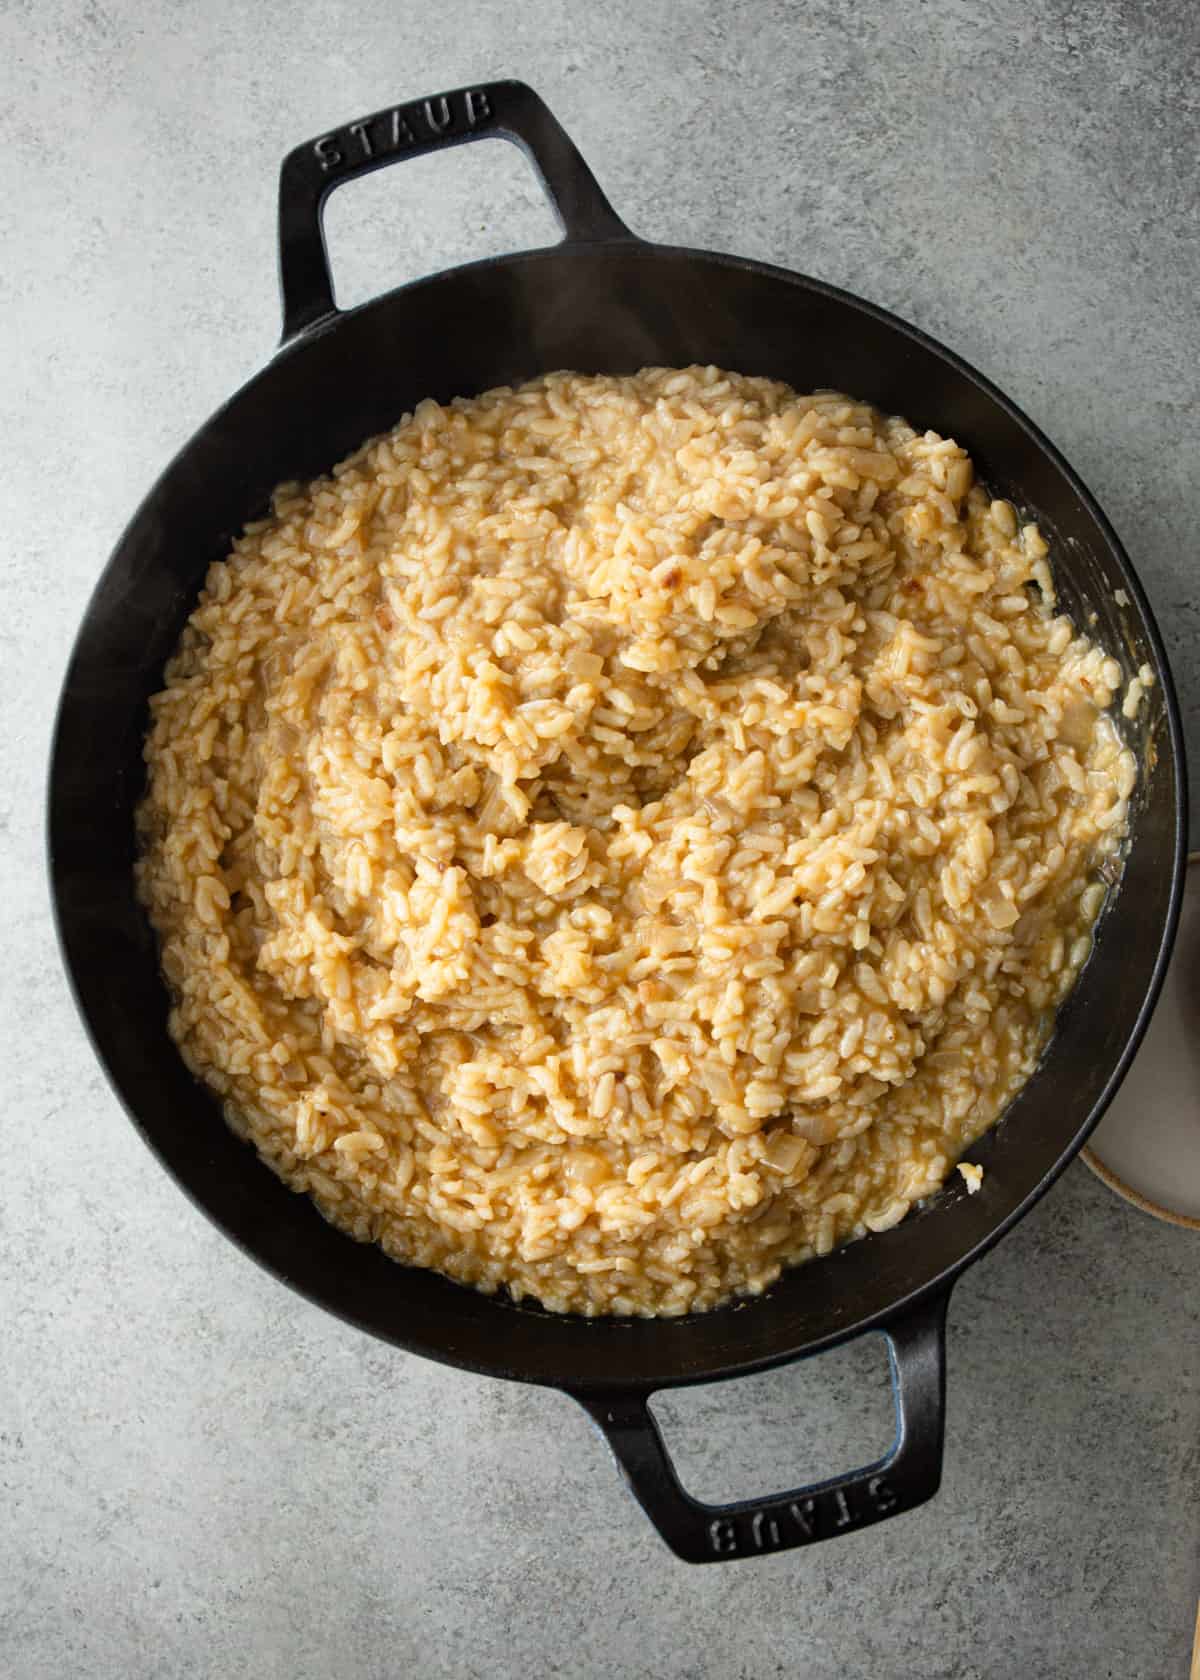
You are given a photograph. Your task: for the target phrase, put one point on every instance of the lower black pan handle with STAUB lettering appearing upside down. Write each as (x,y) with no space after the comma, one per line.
(905,1478)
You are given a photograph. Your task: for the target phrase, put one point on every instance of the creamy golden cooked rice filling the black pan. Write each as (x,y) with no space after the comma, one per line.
(618,837)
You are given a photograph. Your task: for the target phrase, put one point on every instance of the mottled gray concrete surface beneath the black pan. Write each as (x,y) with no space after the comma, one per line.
(204,1476)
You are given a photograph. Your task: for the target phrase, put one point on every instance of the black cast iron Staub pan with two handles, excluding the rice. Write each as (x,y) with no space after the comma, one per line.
(601,302)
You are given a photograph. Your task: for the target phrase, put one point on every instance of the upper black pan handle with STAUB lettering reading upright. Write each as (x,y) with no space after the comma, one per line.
(507,110)
